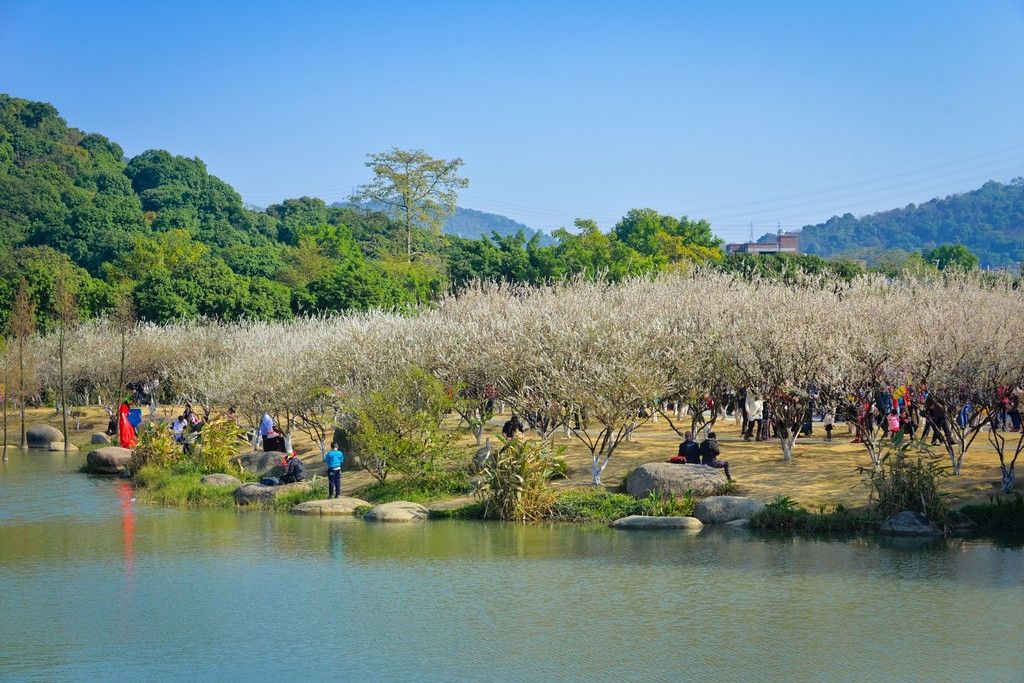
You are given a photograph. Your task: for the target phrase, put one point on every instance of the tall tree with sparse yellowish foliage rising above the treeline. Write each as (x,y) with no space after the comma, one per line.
(418,190)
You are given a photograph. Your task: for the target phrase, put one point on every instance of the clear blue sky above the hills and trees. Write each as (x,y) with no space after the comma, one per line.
(737,112)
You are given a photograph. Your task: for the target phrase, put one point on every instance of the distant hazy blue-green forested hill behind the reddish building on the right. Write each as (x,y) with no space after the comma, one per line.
(990,222)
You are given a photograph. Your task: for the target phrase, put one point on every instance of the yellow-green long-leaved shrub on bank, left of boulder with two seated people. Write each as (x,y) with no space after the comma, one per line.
(515,487)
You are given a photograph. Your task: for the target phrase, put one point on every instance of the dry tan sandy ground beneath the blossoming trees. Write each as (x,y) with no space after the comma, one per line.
(821,474)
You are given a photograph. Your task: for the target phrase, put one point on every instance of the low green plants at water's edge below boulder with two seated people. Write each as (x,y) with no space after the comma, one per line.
(600,505)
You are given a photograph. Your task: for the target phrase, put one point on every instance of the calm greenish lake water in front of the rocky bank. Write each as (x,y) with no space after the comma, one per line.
(97,587)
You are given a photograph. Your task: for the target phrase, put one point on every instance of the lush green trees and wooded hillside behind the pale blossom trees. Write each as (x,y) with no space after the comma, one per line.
(160,233)
